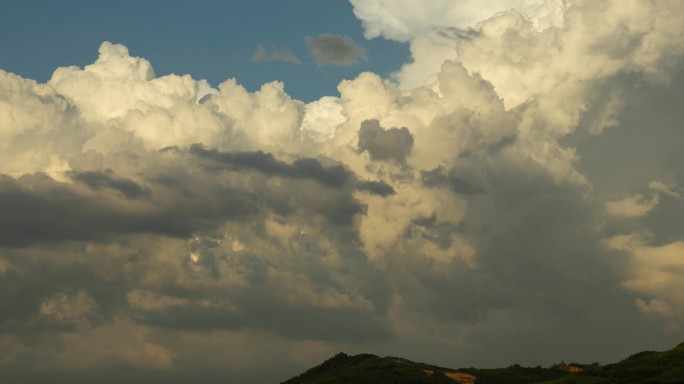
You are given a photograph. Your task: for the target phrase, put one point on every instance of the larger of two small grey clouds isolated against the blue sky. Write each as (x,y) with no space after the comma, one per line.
(338,50)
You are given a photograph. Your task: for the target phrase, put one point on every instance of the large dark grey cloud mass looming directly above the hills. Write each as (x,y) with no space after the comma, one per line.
(536,269)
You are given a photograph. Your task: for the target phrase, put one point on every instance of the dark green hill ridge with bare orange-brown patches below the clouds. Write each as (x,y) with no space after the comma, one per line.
(643,367)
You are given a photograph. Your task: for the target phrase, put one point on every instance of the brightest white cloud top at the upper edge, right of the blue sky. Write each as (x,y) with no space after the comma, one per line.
(433,29)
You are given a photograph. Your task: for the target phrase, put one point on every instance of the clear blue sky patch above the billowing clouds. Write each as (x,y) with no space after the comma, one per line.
(211,40)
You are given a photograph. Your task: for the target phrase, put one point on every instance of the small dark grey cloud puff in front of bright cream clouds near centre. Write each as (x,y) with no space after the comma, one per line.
(385,144)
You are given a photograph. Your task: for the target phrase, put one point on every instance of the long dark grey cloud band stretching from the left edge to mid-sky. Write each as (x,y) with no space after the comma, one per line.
(41,210)
